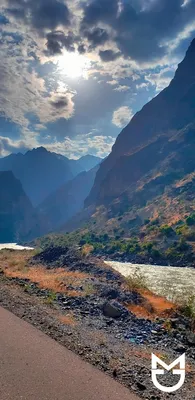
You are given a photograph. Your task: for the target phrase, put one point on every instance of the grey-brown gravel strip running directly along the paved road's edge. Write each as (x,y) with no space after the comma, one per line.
(102,346)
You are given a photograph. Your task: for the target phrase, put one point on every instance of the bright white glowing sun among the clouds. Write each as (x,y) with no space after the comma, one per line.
(73,65)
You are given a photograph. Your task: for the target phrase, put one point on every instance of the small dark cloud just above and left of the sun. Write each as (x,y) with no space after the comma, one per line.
(57,40)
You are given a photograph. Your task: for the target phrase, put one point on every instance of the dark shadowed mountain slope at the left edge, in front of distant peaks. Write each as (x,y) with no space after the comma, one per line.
(18,219)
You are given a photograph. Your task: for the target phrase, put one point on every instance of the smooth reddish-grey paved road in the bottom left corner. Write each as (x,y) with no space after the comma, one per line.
(35,367)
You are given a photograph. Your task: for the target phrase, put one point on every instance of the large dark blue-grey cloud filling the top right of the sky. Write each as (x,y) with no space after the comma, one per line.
(141,27)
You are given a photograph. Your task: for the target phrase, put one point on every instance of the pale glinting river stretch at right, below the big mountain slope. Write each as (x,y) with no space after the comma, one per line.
(171,282)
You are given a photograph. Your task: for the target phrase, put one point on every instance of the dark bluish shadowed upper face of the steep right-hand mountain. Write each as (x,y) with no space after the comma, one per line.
(153,134)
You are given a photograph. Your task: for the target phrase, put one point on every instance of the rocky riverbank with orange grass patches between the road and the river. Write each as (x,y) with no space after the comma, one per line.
(94,311)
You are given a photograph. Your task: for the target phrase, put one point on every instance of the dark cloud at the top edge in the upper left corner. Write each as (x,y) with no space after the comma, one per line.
(42,14)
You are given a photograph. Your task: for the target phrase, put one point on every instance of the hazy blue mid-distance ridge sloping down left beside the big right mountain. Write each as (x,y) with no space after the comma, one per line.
(65,202)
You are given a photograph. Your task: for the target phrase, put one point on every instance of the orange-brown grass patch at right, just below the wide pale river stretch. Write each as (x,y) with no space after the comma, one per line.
(153,306)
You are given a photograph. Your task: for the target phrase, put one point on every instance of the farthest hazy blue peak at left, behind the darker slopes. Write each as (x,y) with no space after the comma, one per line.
(40,172)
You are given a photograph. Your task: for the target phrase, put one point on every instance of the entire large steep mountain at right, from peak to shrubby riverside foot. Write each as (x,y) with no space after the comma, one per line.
(142,202)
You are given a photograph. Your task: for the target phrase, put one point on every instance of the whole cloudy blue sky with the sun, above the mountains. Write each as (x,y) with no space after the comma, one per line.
(74,72)
